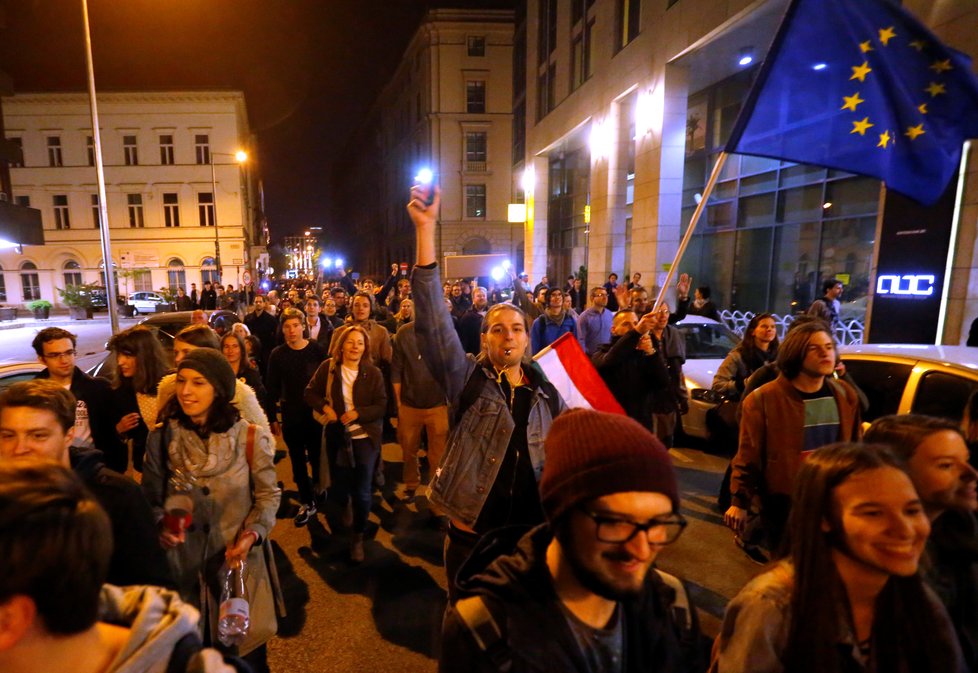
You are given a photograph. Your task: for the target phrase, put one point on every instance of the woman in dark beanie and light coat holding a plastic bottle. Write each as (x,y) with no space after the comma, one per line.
(225,465)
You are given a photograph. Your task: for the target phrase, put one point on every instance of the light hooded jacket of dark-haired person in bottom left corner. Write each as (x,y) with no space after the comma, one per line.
(157,620)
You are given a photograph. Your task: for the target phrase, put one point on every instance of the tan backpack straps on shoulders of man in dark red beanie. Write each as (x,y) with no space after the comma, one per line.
(485,630)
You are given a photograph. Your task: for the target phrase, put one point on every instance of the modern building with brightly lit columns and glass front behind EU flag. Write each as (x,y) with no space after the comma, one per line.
(628,104)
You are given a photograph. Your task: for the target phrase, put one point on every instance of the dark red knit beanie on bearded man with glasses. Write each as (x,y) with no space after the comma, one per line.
(590,454)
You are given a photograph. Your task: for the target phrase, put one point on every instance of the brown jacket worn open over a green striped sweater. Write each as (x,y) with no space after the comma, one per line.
(772,438)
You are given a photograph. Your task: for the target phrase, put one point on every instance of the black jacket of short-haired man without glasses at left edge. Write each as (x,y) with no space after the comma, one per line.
(137,557)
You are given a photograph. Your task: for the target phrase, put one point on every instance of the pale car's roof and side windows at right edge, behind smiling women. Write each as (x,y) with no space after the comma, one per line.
(917,379)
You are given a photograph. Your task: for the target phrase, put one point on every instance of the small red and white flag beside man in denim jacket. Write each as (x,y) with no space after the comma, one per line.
(570,371)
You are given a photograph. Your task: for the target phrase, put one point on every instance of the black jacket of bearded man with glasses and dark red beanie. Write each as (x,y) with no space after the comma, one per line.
(519,593)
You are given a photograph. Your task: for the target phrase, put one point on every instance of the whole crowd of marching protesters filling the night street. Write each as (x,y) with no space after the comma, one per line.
(553,517)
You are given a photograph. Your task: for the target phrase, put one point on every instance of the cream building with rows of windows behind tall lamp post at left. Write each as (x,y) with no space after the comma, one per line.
(166,218)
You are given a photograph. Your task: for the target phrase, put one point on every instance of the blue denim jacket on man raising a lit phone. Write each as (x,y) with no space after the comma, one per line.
(477,443)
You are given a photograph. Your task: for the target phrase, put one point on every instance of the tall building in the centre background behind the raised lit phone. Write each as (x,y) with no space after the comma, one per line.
(448,107)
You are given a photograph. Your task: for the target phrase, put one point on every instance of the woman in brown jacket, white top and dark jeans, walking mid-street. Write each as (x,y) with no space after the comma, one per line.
(350,393)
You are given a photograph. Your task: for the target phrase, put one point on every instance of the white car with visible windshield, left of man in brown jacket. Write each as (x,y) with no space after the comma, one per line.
(707,344)
